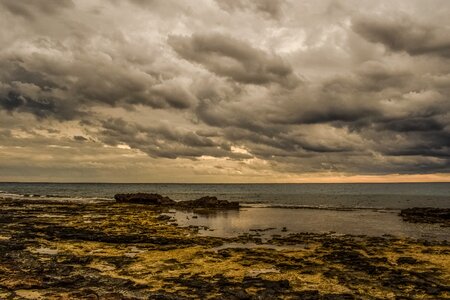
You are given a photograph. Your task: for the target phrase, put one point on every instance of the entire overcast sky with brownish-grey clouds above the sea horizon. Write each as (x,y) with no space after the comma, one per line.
(224,91)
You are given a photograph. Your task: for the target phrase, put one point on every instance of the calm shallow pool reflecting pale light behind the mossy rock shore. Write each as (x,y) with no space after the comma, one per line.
(270,221)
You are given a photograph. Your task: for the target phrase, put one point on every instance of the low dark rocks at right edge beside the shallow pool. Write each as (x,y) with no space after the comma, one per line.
(426,215)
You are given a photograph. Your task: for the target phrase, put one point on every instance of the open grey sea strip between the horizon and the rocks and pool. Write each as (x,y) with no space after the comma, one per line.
(354,195)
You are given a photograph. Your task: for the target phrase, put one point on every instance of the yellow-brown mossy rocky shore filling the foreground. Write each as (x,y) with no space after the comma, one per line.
(54,250)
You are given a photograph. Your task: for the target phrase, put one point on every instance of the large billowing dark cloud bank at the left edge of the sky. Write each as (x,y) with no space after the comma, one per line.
(67,85)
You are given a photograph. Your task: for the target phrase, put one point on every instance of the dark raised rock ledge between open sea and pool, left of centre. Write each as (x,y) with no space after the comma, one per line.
(159,200)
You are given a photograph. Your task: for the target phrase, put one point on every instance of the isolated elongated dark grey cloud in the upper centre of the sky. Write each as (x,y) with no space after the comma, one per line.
(233,58)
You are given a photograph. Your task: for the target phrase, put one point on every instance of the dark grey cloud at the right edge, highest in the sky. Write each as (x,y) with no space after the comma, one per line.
(404,34)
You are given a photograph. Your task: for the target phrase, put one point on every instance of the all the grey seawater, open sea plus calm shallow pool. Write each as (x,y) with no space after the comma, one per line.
(358,209)
